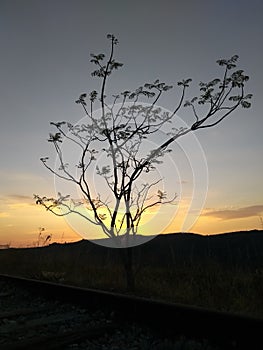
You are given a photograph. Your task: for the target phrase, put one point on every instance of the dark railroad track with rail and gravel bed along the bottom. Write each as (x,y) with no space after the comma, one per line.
(38,315)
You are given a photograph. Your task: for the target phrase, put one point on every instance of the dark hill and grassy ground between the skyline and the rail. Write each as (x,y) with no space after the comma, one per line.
(222,272)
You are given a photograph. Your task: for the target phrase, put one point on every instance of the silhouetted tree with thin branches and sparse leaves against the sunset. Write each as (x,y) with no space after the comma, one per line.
(120,131)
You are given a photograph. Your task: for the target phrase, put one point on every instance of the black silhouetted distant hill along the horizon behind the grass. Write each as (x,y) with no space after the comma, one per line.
(242,249)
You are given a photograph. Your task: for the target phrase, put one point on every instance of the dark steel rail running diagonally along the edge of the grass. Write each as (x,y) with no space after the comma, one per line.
(232,331)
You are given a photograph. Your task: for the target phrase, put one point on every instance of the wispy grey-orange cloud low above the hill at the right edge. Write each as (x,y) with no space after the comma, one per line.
(240,213)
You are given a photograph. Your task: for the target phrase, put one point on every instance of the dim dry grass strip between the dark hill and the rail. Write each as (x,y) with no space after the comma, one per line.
(208,285)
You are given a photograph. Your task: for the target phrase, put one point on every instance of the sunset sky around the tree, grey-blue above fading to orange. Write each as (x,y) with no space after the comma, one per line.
(45,66)
